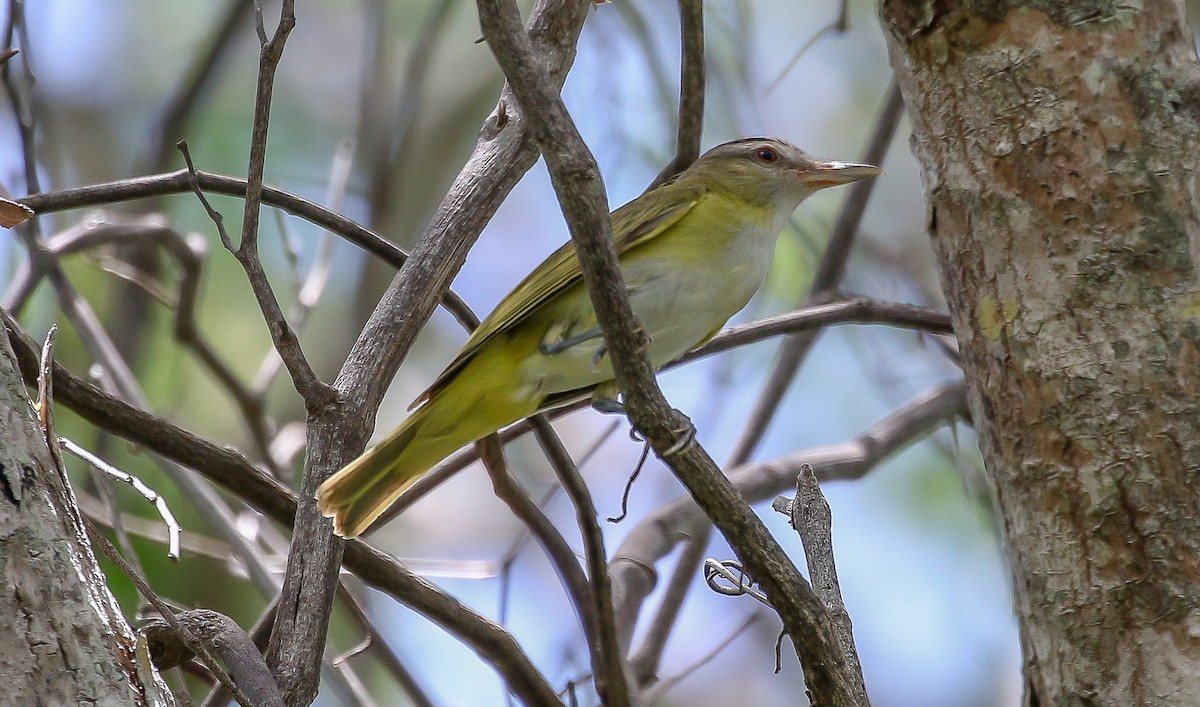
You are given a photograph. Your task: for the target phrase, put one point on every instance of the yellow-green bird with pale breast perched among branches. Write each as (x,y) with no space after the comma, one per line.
(693,253)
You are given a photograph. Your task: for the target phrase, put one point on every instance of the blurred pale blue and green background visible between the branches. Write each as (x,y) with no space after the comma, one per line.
(397,93)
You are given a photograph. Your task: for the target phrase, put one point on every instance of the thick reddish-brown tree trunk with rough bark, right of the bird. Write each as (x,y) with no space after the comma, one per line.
(1059,148)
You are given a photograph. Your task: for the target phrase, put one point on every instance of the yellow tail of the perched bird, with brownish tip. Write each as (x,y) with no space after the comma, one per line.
(465,411)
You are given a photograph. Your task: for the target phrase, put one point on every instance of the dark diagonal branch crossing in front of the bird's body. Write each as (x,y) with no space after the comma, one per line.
(581,195)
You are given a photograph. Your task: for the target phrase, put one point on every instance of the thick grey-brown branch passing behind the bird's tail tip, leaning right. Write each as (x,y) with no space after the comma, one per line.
(338,432)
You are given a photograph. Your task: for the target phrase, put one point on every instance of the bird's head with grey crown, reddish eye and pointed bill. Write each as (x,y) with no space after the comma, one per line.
(771,173)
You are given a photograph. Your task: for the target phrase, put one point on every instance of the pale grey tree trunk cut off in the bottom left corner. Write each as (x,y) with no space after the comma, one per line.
(63,639)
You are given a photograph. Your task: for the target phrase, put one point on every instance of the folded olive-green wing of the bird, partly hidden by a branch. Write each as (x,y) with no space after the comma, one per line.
(633,225)
